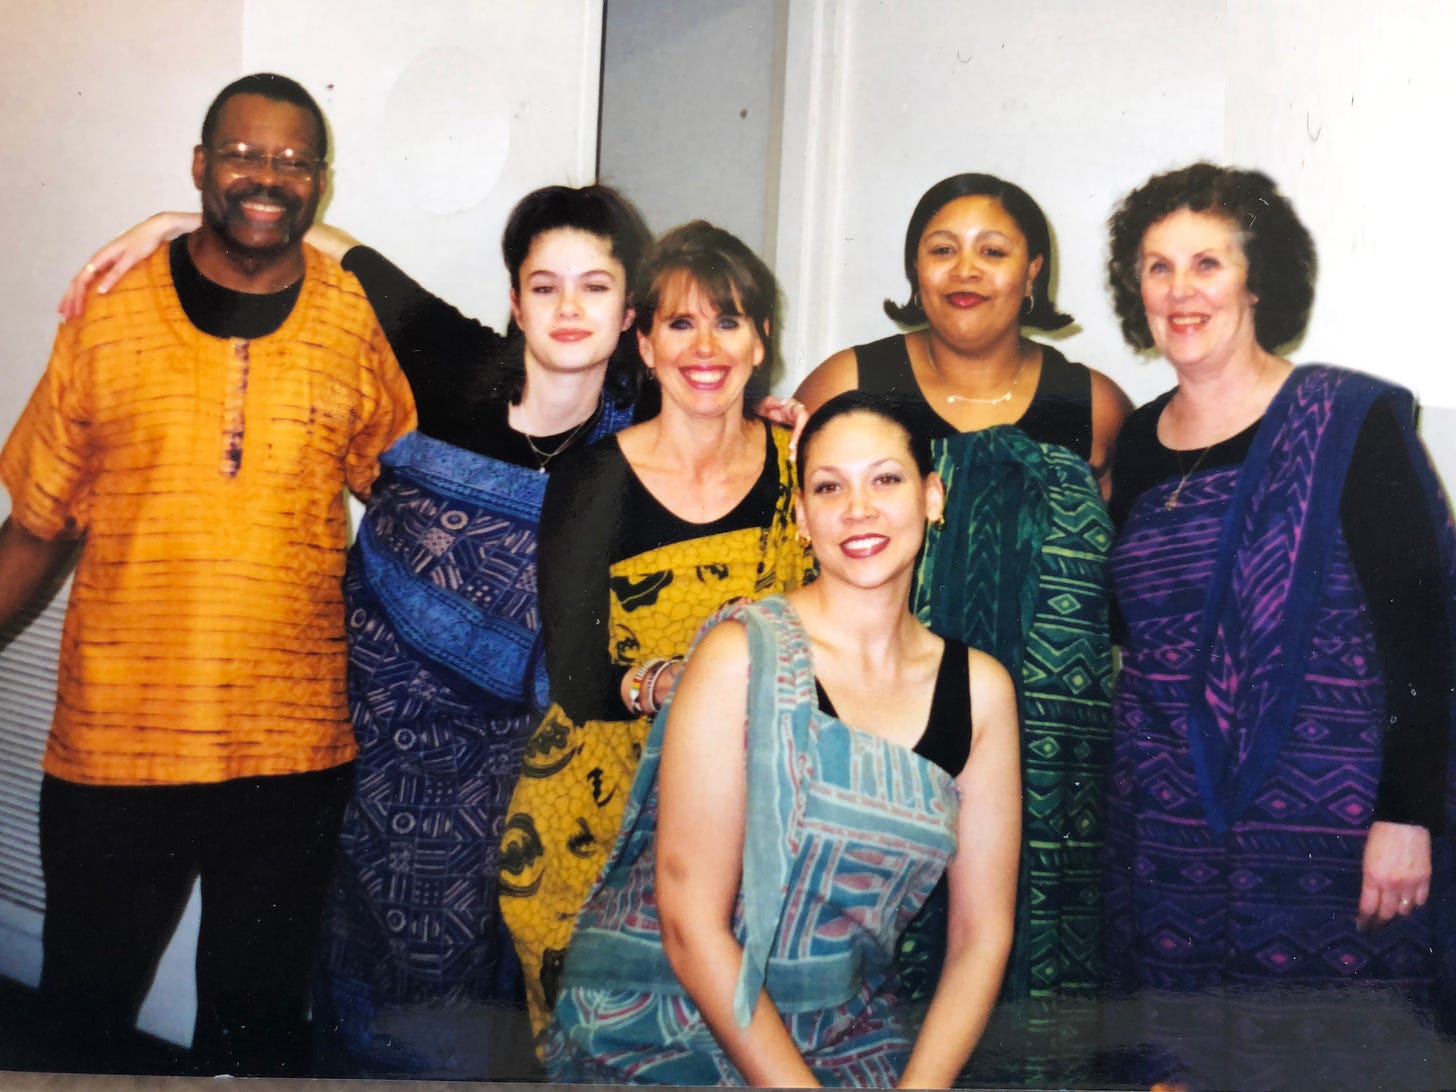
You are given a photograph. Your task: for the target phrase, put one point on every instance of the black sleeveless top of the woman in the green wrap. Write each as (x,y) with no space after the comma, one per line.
(1061,410)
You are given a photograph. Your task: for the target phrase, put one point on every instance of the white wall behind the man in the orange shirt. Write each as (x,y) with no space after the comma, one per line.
(443,114)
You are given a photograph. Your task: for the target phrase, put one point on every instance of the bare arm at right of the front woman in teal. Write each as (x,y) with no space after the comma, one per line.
(982,882)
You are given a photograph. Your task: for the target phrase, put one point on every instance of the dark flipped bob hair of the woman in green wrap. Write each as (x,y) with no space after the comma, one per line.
(1020,207)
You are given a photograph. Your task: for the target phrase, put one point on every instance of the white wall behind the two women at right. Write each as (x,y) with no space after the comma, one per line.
(1345,104)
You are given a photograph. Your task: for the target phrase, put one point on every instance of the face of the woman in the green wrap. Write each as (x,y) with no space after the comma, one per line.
(975,273)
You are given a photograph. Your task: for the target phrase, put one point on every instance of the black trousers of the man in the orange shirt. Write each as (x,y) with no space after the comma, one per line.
(119,869)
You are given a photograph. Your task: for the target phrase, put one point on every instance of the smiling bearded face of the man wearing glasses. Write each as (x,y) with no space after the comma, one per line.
(260,212)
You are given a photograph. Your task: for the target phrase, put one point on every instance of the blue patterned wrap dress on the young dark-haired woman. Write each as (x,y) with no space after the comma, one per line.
(446,684)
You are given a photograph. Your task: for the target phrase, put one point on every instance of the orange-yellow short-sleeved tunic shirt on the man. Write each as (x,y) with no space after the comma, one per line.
(205,638)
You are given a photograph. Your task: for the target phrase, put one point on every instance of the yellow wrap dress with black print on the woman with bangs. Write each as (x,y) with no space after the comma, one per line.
(567,809)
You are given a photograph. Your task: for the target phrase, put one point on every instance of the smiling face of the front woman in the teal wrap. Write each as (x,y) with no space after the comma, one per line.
(864,502)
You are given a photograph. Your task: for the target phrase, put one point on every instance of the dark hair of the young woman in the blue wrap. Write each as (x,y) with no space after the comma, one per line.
(596,210)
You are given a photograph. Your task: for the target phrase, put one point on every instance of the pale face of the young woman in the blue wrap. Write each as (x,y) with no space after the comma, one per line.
(571,304)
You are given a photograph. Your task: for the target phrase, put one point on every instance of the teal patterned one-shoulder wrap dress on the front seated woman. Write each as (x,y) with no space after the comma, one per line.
(845,838)
